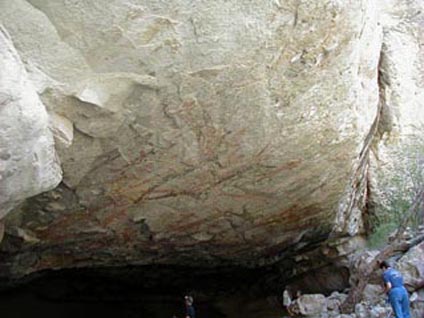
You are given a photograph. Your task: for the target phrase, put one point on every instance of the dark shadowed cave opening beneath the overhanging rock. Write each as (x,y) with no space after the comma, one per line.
(151,291)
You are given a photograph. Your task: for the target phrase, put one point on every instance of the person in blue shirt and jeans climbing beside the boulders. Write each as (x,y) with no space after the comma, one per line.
(393,287)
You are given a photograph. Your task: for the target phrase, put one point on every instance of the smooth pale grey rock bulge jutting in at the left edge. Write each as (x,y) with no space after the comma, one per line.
(28,161)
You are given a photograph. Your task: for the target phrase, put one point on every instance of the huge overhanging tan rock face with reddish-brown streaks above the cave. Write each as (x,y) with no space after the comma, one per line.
(206,132)
